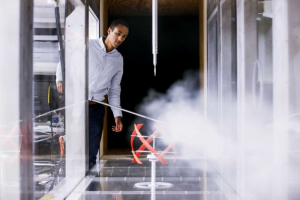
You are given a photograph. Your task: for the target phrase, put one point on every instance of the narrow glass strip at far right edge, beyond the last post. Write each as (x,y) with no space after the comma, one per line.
(294,100)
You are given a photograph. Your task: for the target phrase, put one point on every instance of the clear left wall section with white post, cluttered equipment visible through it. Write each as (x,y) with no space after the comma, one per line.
(60,100)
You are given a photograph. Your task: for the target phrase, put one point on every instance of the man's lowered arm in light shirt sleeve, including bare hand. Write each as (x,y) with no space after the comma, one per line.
(114,99)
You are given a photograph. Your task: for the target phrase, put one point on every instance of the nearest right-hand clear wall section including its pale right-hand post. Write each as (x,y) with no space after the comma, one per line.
(268,123)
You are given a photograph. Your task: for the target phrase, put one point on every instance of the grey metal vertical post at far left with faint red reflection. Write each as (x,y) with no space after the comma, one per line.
(26,99)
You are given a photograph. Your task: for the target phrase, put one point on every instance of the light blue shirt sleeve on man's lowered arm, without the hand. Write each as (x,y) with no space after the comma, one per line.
(114,92)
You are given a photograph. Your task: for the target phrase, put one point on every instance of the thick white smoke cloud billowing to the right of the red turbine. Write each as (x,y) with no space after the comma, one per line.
(241,150)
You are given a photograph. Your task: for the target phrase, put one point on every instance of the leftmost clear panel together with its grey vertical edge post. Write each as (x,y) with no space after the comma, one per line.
(16,100)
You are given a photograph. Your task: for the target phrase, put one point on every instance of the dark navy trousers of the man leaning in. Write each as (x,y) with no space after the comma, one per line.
(96,116)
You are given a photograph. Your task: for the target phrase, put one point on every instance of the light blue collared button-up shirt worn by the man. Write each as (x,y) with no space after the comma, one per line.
(105,74)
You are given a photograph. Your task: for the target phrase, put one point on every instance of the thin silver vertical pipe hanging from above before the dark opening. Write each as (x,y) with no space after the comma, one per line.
(154,34)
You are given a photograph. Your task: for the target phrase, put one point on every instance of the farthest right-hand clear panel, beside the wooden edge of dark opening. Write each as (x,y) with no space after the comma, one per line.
(222,83)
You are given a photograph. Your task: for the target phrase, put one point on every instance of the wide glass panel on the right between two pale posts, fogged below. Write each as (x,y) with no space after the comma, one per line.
(256,100)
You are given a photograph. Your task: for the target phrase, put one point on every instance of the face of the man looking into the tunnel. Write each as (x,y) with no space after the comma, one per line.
(117,36)
